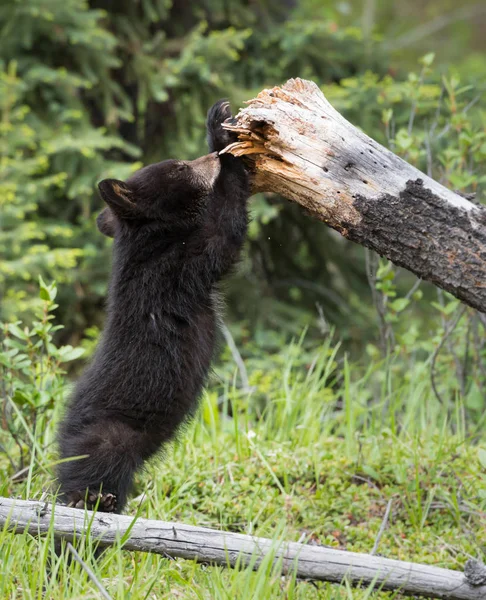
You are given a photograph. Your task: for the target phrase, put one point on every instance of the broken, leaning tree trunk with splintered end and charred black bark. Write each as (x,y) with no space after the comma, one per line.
(300,147)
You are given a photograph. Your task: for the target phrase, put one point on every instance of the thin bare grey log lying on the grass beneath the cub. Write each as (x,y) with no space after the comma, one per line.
(177,540)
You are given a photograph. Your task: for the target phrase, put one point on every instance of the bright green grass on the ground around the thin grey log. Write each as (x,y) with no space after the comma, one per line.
(316,450)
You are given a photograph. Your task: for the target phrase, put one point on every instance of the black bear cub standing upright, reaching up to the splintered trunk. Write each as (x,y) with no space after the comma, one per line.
(178,229)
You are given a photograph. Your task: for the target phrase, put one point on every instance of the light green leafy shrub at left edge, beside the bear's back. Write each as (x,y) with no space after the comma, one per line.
(33,381)
